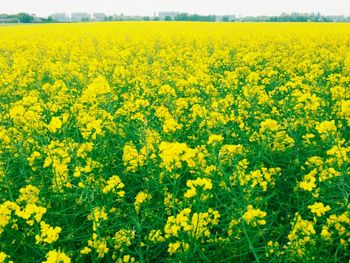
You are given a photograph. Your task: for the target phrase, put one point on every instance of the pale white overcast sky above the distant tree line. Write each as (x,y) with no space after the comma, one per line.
(204,7)
